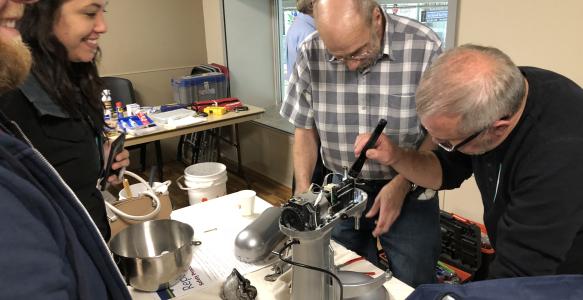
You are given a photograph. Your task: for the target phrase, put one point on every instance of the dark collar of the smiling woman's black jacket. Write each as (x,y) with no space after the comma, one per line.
(40,99)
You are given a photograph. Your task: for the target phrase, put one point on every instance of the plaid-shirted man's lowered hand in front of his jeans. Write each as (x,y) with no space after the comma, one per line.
(388,204)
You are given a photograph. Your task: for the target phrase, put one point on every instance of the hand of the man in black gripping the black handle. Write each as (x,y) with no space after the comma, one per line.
(384,151)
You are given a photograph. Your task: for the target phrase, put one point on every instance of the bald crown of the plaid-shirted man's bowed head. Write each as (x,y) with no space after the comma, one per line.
(340,25)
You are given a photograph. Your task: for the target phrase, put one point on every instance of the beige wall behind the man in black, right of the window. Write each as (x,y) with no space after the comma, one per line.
(535,33)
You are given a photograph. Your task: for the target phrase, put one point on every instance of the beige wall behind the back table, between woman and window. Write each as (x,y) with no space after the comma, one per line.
(149,42)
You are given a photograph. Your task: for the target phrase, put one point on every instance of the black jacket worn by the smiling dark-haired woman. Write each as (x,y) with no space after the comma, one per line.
(70,144)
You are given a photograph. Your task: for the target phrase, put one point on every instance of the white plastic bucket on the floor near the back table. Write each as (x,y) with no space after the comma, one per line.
(204,181)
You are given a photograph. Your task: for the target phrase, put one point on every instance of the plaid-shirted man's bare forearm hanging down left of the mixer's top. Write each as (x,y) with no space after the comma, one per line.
(304,154)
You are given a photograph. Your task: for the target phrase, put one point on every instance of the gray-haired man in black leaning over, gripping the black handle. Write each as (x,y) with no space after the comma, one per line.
(518,131)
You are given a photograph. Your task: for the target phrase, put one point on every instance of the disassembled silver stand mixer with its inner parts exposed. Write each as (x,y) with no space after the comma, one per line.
(308,219)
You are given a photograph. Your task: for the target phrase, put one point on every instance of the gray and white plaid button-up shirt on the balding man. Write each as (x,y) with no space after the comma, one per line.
(342,104)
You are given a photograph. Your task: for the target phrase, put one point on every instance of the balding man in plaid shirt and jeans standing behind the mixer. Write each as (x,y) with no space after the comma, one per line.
(361,66)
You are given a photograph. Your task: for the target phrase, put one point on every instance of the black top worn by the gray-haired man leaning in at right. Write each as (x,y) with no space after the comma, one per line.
(530,184)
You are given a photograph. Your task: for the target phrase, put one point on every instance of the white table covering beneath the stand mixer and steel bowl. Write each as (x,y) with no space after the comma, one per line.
(222,216)
